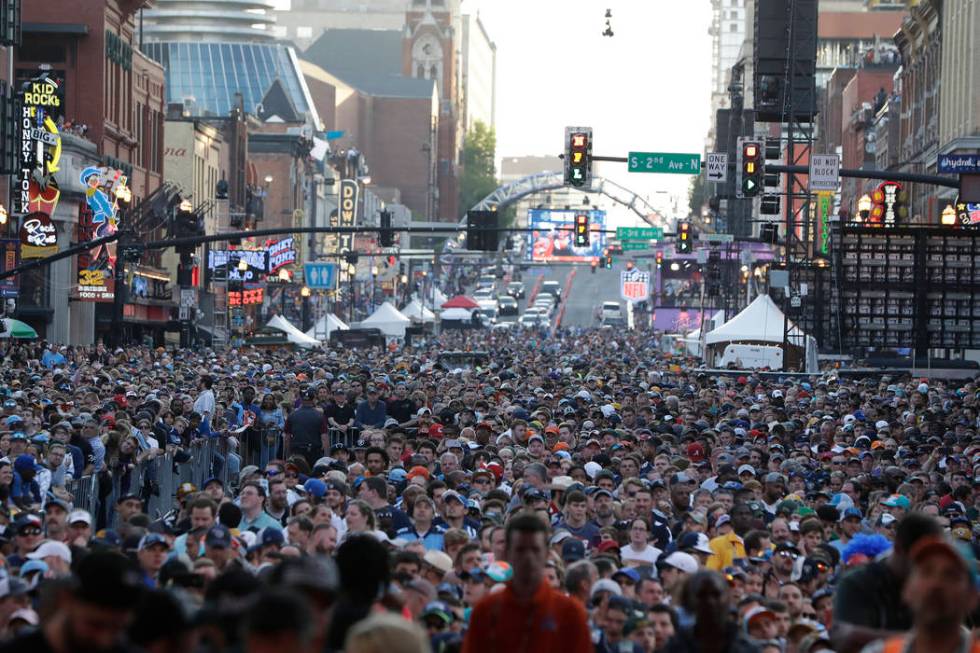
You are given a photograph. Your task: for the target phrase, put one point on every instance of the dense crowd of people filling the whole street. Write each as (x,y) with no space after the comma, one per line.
(582,493)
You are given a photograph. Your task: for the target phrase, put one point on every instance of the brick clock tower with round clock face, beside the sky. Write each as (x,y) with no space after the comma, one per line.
(432,36)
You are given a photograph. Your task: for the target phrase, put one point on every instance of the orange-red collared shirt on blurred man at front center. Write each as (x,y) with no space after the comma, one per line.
(548,622)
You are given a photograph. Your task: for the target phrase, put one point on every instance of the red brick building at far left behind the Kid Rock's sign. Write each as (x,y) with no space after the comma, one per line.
(114,104)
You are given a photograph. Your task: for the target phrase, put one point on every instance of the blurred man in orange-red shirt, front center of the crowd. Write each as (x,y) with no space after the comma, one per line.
(527,615)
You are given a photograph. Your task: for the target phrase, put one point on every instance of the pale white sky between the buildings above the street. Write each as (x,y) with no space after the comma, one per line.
(645,89)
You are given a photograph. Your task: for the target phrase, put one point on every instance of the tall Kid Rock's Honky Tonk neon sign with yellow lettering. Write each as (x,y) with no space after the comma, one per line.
(40,145)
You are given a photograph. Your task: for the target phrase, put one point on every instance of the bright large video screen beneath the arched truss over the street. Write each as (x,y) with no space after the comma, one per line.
(552,235)
